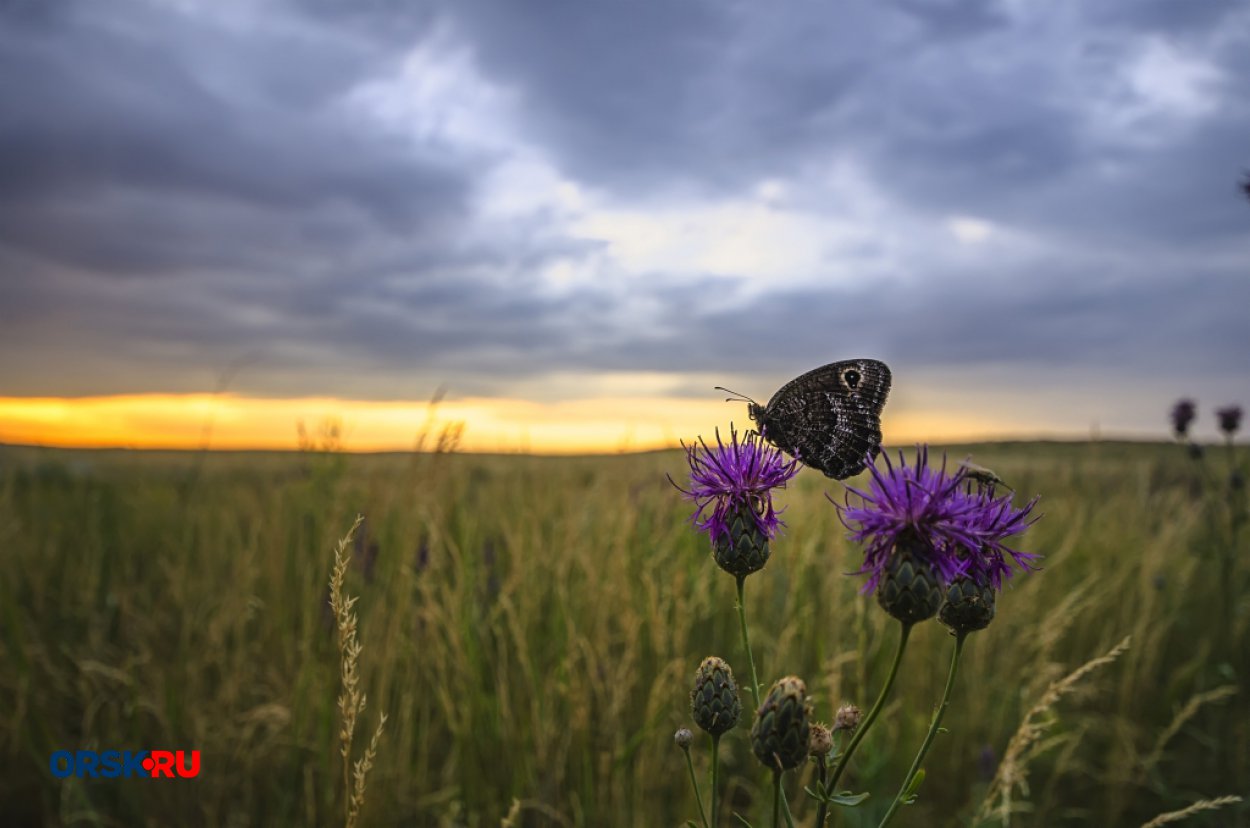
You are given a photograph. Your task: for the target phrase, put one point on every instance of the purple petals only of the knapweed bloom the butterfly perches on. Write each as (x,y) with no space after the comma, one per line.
(727,478)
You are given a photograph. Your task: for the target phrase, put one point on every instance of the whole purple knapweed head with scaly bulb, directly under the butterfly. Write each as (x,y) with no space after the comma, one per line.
(732,487)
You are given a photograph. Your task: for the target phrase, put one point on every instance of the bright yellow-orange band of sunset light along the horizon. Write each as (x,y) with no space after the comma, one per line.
(491,425)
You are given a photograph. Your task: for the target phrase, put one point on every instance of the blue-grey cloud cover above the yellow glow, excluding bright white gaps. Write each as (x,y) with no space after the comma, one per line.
(182,193)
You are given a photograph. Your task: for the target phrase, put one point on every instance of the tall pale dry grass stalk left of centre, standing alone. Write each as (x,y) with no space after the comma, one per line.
(352,700)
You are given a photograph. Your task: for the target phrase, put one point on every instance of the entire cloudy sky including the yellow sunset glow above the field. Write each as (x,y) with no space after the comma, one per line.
(562,223)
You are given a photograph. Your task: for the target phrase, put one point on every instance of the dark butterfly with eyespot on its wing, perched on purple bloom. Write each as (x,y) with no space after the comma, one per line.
(829,418)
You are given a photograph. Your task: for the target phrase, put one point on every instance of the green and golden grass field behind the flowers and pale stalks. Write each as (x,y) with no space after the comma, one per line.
(531,627)
